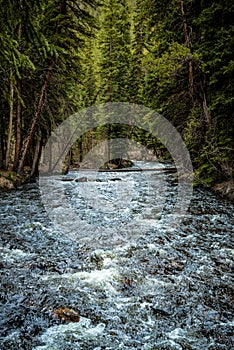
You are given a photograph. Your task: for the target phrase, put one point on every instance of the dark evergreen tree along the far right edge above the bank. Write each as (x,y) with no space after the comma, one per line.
(214,23)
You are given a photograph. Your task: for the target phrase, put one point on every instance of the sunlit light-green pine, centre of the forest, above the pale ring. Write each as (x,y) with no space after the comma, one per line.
(114,42)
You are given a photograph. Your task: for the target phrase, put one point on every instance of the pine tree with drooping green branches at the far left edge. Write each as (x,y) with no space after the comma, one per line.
(17,29)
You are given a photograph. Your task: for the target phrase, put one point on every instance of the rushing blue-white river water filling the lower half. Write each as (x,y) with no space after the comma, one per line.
(151,288)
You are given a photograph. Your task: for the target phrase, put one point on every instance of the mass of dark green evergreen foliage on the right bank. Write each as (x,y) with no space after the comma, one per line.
(203,113)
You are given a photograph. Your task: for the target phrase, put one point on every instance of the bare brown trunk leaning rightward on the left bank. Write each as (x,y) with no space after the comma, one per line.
(35,118)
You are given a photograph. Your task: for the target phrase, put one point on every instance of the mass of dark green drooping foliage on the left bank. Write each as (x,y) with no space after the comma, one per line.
(36,37)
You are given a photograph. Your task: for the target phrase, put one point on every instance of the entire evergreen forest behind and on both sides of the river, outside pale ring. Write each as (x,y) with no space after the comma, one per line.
(60,56)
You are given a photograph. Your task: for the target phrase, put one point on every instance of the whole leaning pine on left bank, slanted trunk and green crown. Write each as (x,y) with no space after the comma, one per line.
(64,25)
